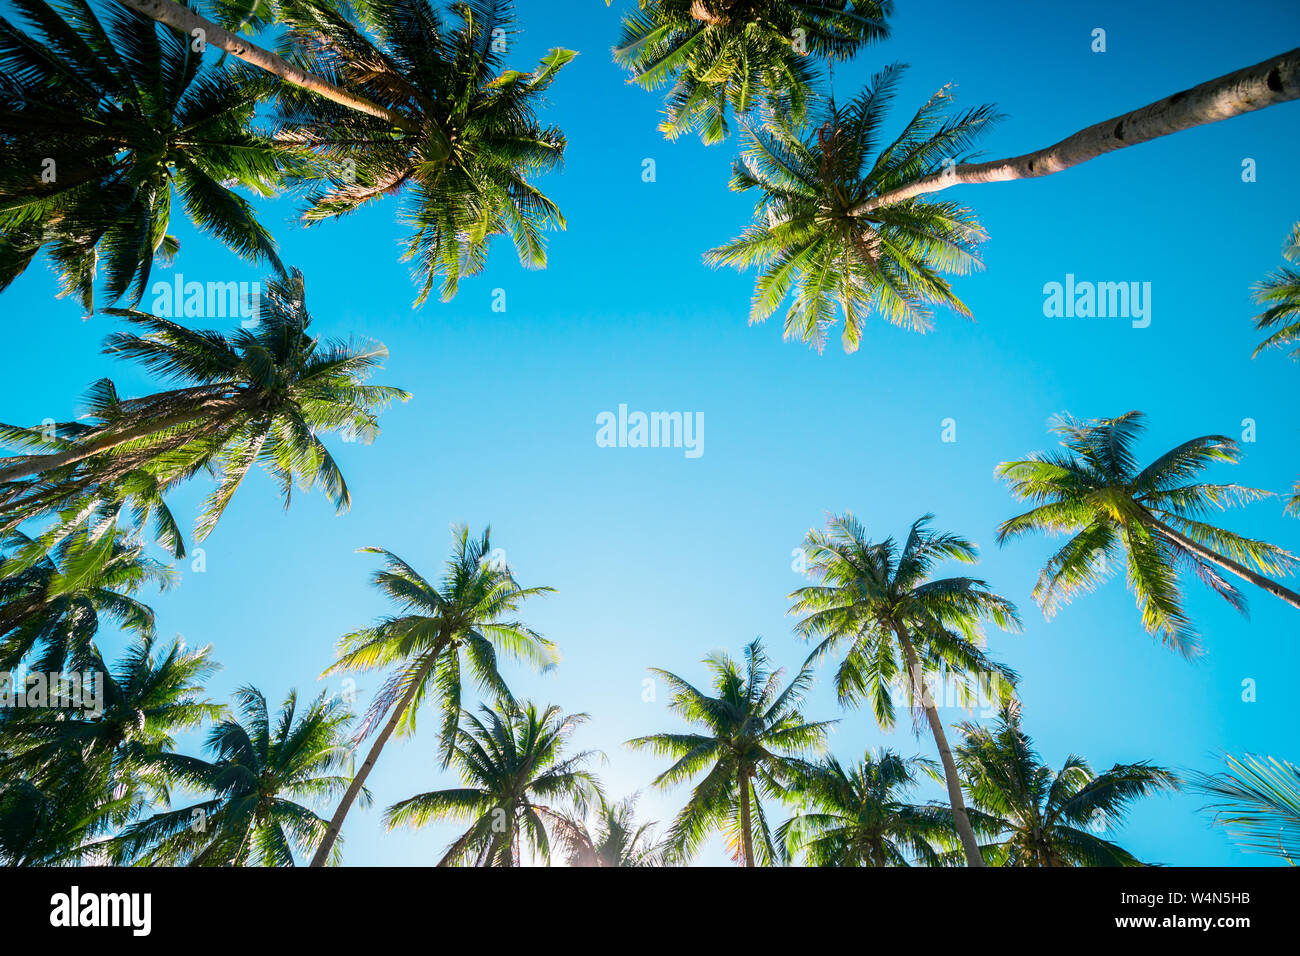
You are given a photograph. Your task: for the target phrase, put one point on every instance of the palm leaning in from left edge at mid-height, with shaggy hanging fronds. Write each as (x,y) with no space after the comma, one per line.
(261,395)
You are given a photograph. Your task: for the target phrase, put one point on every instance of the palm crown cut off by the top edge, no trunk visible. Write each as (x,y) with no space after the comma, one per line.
(740,53)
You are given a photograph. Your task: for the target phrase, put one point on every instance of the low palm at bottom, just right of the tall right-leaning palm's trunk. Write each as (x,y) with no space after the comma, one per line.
(517,781)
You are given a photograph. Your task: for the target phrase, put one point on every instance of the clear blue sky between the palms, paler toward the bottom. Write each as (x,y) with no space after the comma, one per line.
(658,559)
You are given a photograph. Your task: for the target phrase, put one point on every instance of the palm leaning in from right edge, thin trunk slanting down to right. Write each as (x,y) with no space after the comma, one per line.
(1098,492)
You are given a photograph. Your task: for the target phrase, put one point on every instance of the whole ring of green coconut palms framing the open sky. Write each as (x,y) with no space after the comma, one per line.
(111,109)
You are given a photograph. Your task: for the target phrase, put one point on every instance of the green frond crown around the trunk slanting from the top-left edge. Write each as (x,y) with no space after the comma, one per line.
(467,167)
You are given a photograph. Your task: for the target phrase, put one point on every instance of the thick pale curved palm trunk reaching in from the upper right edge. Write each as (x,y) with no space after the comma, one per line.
(1255,88)
